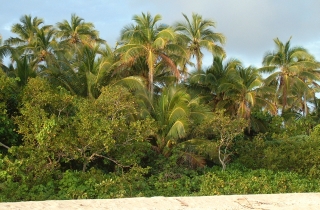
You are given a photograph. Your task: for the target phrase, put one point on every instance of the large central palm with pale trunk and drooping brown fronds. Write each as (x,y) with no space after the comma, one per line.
(151,41)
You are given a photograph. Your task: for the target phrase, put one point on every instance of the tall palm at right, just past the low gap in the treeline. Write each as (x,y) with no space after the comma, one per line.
(285,65)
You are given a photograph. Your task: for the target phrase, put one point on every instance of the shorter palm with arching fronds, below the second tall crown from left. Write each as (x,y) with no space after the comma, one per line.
(85,73)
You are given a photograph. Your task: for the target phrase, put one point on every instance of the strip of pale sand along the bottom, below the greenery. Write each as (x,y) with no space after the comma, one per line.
(301,201)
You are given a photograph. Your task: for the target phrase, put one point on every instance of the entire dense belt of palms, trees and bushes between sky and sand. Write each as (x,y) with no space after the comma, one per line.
(80,119)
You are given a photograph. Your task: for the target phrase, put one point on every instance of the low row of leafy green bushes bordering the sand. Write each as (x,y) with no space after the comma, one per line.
(94,184)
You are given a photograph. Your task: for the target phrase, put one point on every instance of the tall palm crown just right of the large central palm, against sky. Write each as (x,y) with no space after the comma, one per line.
(198,34)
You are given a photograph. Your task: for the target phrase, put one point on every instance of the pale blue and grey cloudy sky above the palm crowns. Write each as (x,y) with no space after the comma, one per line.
(249,25)
